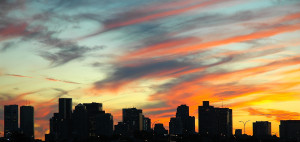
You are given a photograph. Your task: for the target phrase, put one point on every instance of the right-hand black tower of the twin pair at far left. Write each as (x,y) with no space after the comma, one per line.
(27,121)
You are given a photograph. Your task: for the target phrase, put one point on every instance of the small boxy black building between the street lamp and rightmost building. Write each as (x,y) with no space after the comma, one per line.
(261,129)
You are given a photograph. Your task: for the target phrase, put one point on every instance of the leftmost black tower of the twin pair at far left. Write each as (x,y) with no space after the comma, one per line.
(10,119)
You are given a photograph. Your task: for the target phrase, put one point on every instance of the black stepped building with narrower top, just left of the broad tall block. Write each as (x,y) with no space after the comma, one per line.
(182,123)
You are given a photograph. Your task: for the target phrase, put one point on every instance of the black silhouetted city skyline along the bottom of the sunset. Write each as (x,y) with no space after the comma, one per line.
(89,119)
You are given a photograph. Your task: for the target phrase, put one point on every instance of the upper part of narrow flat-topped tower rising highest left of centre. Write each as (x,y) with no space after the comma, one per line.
(65,107)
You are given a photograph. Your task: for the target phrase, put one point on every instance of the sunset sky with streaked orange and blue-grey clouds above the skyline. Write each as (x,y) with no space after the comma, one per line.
(153,55)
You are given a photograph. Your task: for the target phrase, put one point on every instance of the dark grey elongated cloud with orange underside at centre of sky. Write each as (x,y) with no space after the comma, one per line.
(124,75)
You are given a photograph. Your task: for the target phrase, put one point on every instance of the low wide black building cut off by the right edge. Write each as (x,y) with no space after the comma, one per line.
(290,130)
